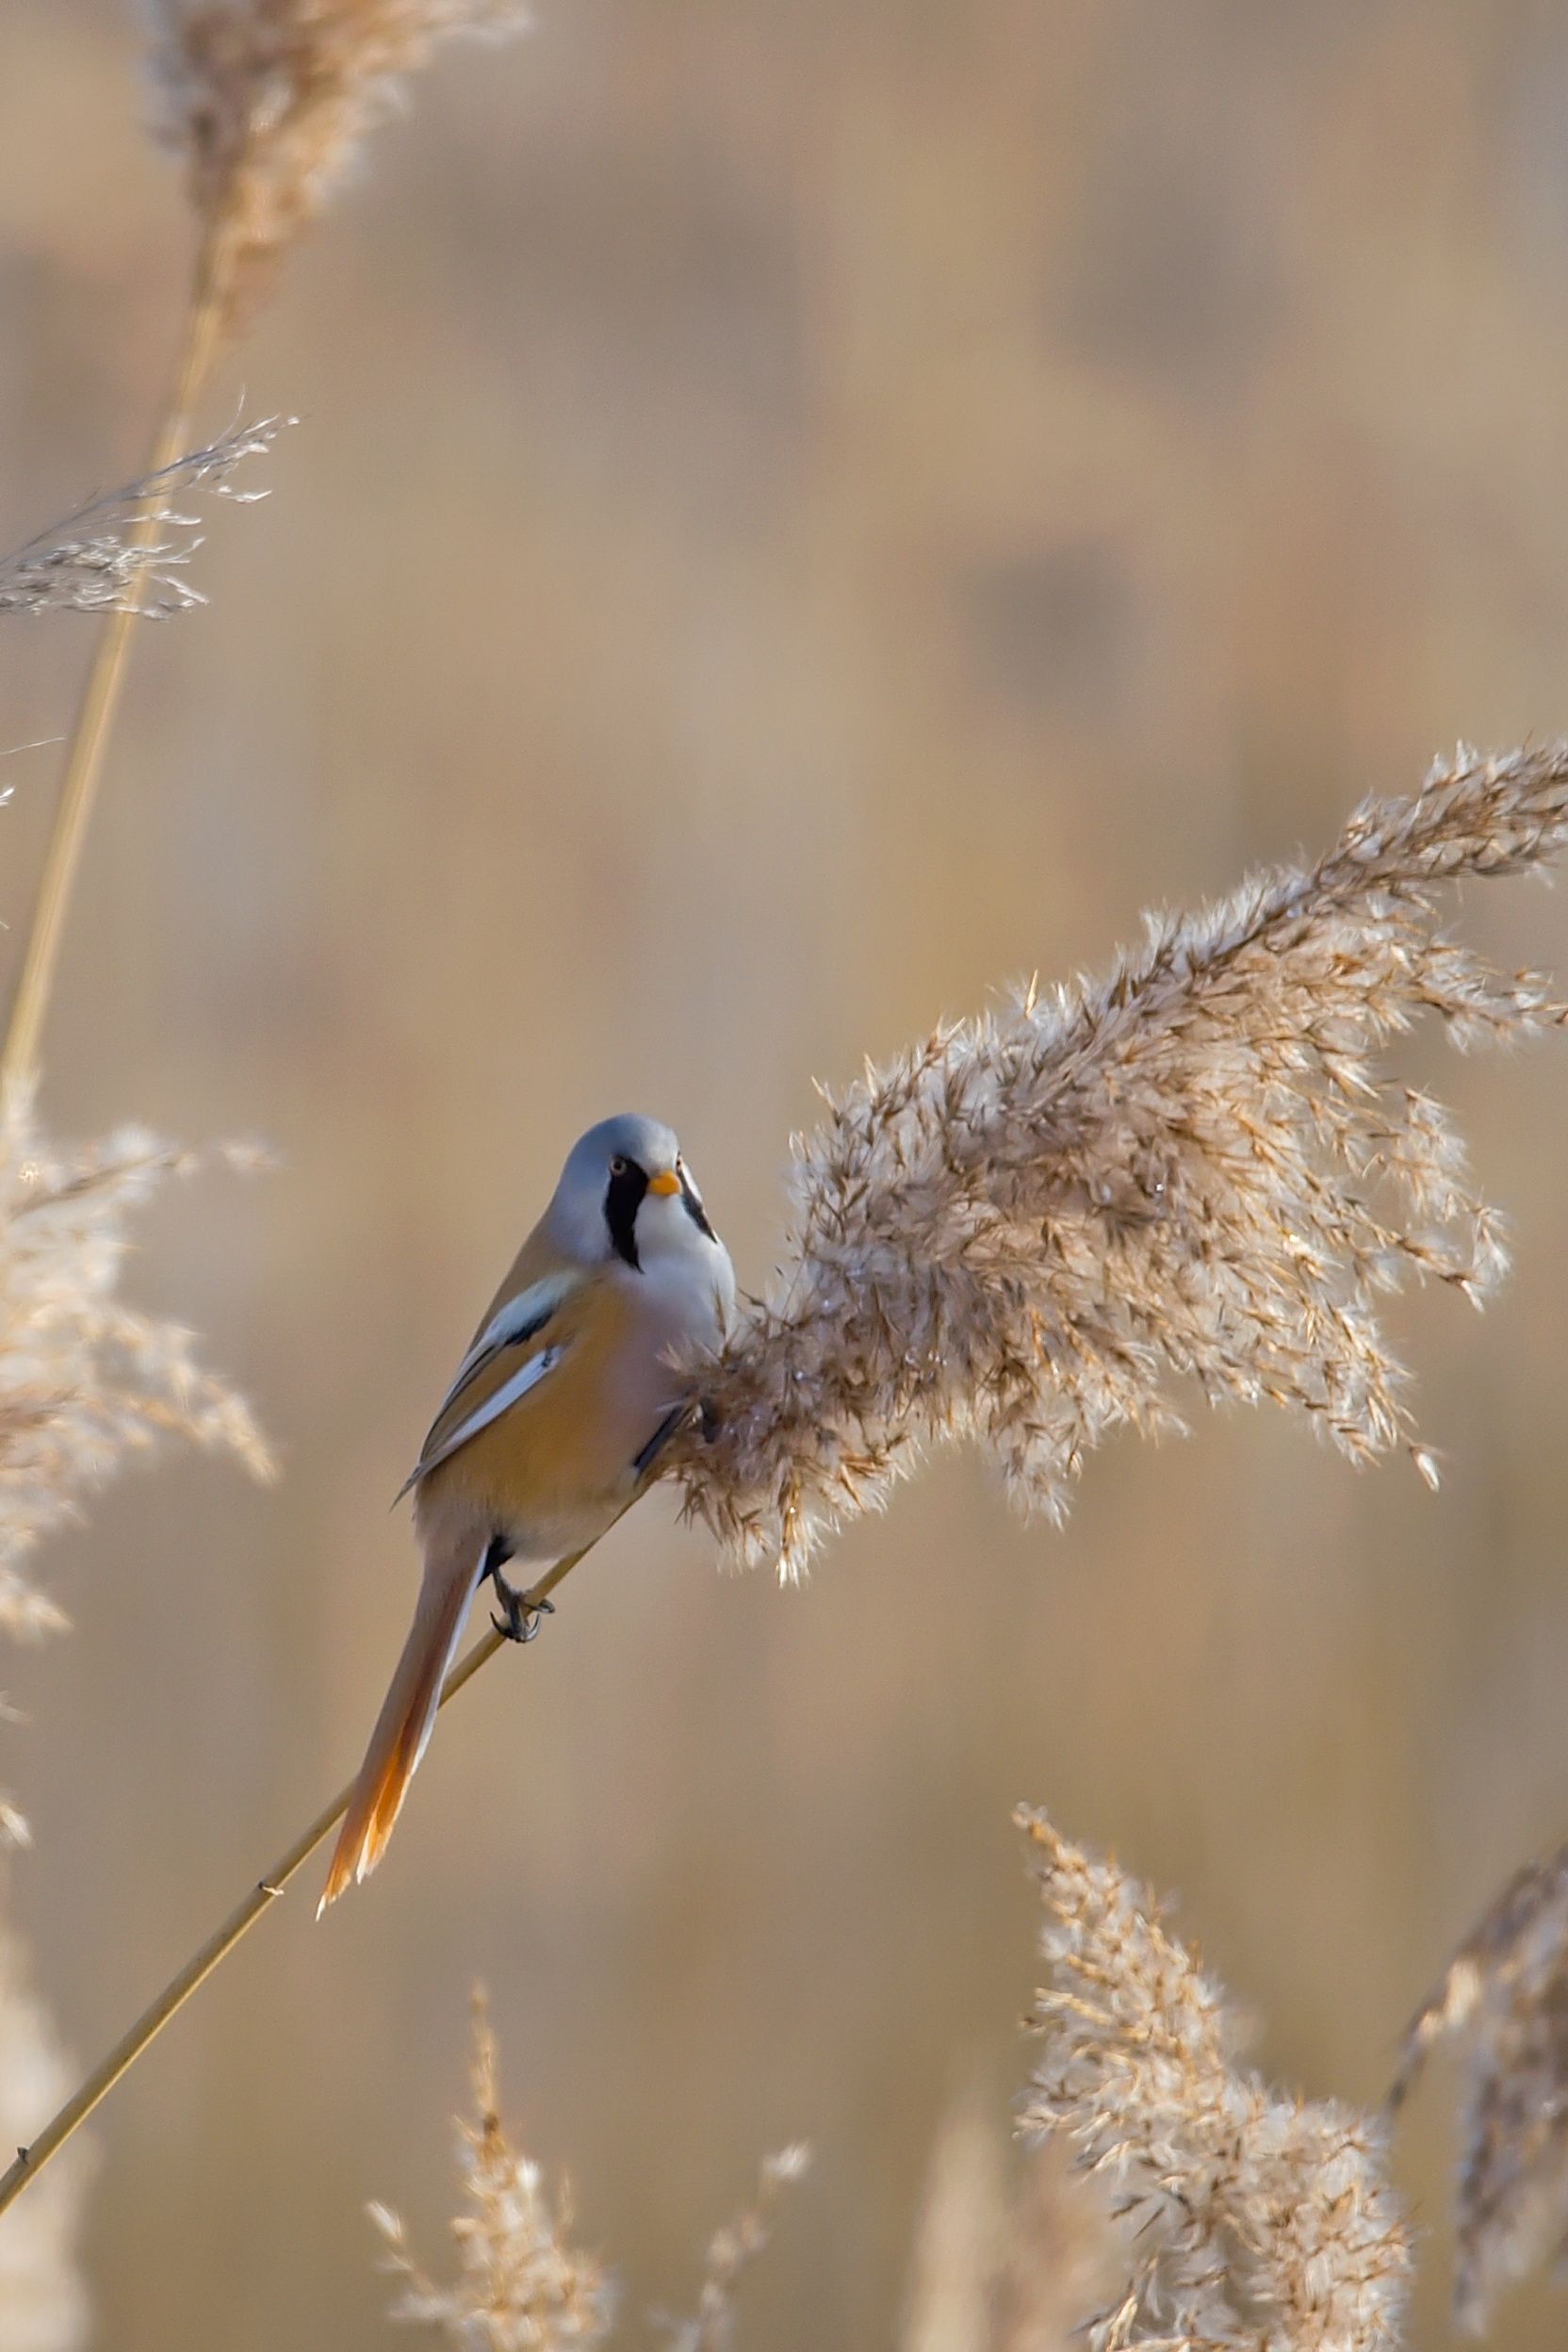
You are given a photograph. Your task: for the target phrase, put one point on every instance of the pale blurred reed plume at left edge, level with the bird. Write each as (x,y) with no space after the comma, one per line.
(83,1377)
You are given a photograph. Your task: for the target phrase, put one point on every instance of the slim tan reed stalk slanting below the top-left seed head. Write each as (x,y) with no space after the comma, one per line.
(201,340)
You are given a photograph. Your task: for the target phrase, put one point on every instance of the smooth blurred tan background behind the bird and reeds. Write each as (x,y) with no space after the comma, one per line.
(803,514)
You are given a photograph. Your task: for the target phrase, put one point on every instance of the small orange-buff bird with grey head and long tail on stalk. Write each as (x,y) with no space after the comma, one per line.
(558,1410)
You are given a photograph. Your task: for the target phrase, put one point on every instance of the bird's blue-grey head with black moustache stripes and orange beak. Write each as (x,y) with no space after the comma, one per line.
(626,1194)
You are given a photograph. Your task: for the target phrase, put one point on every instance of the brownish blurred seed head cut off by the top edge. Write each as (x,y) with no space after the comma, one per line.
(269,102)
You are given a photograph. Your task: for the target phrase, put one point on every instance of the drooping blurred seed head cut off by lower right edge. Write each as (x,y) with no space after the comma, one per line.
(1506,2000)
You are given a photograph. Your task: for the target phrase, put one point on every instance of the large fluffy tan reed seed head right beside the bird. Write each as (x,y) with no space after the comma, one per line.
(1038,1224)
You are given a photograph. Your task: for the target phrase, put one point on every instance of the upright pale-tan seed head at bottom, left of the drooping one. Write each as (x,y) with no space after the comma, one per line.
(1254,2217)
